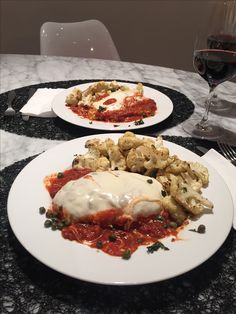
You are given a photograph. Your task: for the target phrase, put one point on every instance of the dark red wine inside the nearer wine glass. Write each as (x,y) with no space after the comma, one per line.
(215,66)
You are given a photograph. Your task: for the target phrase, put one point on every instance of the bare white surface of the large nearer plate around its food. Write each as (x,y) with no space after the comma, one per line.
(27,194)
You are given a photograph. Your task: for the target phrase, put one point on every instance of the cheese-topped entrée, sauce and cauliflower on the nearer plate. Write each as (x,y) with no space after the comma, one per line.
(118,196)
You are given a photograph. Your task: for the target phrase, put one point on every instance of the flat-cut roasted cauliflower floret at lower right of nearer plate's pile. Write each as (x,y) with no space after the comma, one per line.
(191,200)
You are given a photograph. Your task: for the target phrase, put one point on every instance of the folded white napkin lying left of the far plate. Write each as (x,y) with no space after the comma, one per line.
(40,104)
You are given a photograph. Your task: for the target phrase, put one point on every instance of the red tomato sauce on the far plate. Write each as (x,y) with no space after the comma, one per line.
(131,110)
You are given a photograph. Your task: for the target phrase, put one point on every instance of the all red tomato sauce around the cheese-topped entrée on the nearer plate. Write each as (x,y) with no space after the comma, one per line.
(109,230)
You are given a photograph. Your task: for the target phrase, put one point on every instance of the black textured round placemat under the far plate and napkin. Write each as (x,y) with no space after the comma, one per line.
(58,129)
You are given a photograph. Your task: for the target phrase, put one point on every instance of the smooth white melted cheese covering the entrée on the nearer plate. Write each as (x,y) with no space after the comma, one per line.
(99,191)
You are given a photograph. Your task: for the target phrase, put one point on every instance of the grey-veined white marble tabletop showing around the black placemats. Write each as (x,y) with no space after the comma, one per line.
(22,70)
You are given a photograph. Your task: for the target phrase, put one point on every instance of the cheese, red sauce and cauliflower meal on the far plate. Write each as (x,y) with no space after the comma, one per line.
(111,102)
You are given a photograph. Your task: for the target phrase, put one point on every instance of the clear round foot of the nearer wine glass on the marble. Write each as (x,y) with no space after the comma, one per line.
(211,132)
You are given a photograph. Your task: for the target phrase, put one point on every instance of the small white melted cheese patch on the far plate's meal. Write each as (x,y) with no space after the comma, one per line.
(119,95)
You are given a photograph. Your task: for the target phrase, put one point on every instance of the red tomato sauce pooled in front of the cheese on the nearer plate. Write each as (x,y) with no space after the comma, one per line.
(115,240)
